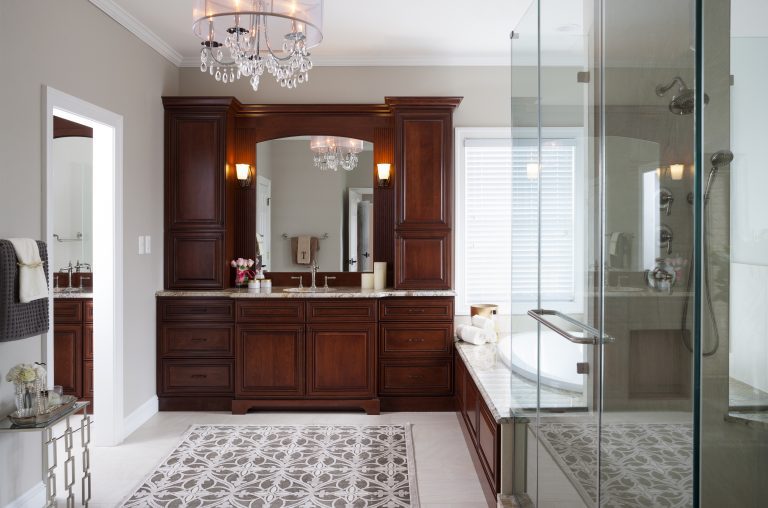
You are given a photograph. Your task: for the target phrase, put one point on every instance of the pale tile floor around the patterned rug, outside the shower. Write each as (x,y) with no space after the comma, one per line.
(446,476)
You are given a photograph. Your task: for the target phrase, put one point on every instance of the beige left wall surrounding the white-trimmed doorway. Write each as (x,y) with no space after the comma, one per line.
(61,54)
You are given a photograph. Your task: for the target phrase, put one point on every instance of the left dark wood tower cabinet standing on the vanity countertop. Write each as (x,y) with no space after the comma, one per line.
(198,192)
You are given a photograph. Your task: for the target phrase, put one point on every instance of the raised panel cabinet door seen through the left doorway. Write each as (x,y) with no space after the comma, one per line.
(68,358)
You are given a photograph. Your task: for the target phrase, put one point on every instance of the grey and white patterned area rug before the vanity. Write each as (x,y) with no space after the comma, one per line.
(285,466)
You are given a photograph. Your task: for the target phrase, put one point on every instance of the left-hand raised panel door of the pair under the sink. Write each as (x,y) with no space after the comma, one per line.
(270,361)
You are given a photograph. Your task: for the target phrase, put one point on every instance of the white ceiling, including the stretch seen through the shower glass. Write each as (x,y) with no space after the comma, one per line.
(459,32)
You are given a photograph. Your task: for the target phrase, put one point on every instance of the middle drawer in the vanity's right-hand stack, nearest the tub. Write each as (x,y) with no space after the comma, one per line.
(415,339)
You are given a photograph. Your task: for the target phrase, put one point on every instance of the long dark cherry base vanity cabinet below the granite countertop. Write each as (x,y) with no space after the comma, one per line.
(271,353)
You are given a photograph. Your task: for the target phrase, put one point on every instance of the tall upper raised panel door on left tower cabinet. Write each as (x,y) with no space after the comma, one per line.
(195,177)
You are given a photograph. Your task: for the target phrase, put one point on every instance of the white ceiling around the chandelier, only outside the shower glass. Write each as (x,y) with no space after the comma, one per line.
(355,32)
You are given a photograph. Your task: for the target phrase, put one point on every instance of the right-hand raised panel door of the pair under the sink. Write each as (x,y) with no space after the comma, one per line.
(341,360)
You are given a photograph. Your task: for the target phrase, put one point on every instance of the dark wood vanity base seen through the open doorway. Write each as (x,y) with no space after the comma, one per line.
(73,347)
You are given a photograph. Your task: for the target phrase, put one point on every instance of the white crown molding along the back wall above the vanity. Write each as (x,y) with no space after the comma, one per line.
(318,61)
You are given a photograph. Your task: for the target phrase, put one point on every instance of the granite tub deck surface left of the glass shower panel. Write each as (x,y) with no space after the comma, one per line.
(492,378)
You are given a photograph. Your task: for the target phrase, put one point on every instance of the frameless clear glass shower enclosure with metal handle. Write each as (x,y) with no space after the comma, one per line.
(647,334)
